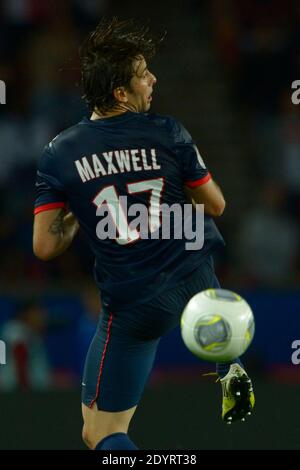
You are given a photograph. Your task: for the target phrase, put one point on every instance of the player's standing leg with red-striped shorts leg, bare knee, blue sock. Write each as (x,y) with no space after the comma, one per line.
(117,367)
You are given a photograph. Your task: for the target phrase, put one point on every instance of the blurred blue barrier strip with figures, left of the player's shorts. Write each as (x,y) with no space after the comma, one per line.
(47,339)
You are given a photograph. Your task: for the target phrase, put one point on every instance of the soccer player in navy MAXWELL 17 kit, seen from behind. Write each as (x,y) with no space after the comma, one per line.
(122,151)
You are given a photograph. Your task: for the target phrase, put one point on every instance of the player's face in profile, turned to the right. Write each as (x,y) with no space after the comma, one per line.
(142,83)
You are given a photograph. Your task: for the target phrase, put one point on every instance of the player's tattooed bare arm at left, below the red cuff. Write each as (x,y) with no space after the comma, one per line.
(53,233)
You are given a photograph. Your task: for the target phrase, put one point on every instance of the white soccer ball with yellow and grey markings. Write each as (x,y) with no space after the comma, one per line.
(217,325)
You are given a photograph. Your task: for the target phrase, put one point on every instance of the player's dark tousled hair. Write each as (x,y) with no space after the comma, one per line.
(107,57)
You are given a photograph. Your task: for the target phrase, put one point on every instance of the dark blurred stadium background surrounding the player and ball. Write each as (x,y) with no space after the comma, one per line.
(225,70)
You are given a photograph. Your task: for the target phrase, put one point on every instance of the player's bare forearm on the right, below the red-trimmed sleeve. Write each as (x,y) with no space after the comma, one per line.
(210,195)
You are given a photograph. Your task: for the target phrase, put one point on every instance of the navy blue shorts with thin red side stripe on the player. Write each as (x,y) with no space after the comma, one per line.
(122,352)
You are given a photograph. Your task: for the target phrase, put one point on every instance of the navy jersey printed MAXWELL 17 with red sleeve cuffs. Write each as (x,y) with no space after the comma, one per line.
(146,157)
